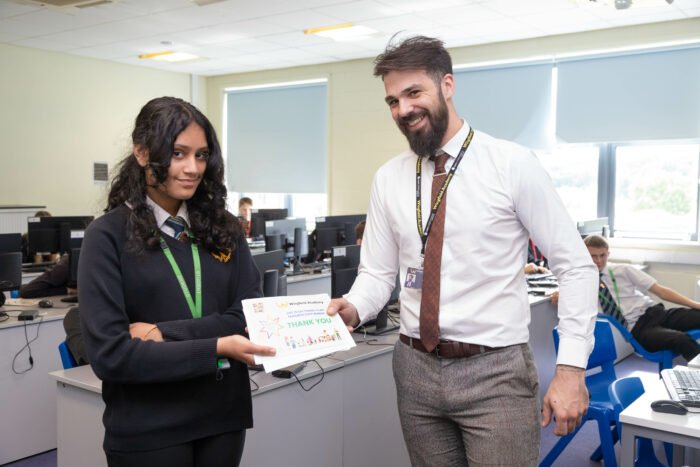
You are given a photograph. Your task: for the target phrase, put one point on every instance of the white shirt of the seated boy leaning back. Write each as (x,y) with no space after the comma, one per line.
(631,285)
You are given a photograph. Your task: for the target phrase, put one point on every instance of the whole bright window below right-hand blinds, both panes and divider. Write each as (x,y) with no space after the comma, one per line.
(649,190)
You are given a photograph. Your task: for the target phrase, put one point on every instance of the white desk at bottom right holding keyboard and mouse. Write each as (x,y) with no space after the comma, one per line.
(639,420)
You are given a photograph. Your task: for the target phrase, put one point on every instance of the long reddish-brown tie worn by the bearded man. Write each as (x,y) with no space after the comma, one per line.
(430,299)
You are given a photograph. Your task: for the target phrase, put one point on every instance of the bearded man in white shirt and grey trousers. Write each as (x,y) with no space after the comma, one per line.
(467,386)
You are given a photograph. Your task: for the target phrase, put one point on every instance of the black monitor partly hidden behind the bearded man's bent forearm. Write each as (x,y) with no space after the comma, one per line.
(345,261)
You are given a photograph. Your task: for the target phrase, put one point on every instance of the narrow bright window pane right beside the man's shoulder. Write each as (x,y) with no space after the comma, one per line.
(574,171)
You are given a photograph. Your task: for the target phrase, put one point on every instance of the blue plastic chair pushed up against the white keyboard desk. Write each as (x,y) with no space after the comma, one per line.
(623,392)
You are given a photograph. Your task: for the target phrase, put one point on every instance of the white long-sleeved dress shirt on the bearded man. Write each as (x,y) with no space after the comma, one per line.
(498,197)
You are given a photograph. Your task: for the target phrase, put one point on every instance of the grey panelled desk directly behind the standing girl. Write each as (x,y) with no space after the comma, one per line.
(349,419)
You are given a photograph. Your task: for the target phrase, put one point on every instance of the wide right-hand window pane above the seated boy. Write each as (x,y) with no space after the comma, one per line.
(656,191)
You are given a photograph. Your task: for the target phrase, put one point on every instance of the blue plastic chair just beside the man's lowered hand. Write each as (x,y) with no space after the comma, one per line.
(600,407)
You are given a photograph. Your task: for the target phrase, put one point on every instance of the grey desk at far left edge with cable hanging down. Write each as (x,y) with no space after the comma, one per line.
(28,404)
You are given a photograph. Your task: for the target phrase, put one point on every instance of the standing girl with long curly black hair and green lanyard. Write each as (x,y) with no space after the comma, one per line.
(162,275)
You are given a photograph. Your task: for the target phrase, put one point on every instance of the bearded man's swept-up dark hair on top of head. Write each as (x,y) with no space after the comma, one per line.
(415,53)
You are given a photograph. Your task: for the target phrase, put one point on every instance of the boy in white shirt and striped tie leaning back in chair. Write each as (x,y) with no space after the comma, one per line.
(621,295)
